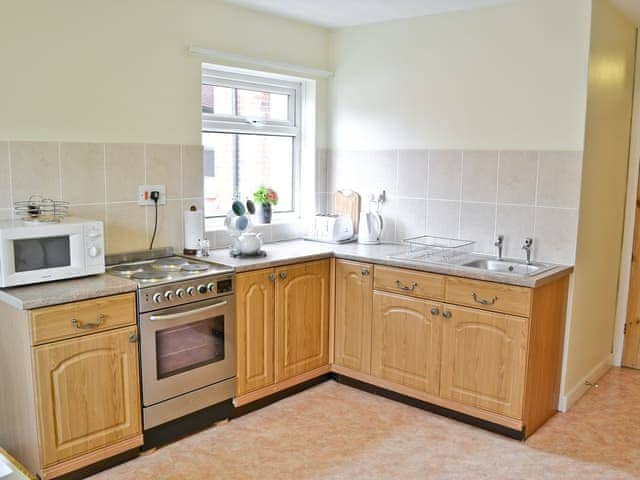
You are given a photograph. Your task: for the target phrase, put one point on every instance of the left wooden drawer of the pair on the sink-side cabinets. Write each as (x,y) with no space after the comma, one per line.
(409,282)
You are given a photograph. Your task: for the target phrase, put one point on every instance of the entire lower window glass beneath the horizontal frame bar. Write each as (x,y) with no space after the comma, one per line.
(261,160)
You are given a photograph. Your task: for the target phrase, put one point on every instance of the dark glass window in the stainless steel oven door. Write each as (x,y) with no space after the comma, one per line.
(184,348)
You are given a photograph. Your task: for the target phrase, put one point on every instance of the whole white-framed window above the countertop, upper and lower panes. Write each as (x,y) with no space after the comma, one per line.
(251,137)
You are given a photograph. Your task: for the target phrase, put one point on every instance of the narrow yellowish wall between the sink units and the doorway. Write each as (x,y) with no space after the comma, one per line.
(602,205)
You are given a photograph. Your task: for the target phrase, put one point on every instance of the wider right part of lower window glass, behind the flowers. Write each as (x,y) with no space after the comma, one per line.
(266,160)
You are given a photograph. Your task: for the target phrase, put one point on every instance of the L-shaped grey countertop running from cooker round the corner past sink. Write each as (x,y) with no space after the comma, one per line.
(295,251)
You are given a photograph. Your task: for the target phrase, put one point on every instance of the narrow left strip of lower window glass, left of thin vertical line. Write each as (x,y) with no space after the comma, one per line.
(219,153)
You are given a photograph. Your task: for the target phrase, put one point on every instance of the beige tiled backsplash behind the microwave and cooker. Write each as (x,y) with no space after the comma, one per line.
(101,182)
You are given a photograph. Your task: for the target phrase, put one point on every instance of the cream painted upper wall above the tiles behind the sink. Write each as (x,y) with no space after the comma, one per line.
(507,77)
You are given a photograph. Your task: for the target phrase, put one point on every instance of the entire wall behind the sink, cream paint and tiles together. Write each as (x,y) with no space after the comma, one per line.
(472,122)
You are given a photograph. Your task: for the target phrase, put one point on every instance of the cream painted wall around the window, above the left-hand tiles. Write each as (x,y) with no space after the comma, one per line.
(118,71)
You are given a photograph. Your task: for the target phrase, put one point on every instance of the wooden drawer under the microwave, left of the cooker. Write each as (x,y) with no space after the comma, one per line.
(82,318)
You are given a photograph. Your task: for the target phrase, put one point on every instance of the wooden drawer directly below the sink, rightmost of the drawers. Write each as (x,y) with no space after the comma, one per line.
(489,296)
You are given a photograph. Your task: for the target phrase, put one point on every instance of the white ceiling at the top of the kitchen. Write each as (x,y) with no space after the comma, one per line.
(344,13)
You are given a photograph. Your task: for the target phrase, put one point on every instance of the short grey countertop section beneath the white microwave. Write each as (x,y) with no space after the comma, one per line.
(64,291)
